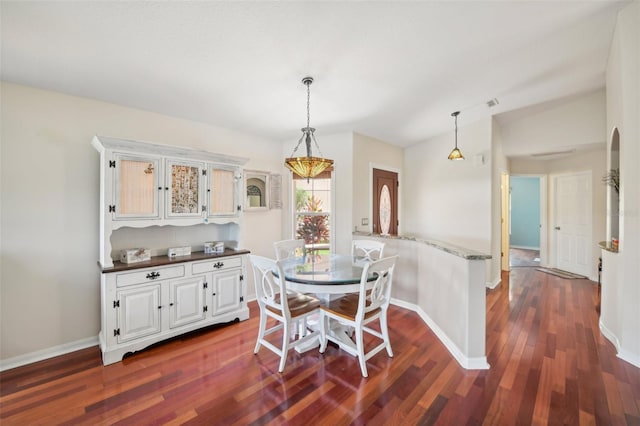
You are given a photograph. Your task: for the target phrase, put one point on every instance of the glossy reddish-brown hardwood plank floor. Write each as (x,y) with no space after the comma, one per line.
(549,365)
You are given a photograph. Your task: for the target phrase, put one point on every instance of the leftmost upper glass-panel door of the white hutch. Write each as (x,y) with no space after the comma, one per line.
(137,188)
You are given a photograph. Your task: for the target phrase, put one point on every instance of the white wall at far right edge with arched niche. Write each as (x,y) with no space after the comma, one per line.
(620,320)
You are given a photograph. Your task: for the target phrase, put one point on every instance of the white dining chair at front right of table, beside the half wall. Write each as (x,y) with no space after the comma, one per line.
(357,310)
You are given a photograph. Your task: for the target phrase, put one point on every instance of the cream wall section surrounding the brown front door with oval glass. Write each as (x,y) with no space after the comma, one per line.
(367,153)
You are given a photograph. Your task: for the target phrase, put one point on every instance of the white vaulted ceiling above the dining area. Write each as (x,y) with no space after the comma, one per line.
(389,69)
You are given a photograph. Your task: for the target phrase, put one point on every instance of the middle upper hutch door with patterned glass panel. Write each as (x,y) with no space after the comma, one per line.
(184,189)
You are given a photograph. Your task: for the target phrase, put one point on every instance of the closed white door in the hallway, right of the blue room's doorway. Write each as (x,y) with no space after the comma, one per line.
(572,225)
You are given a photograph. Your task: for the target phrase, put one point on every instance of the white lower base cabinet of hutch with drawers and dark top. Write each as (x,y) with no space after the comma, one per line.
(146,303)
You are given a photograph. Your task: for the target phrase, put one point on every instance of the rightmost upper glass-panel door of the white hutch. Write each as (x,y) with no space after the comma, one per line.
(223,191)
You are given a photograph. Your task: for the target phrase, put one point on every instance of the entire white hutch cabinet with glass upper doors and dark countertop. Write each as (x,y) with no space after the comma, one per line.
(151,186)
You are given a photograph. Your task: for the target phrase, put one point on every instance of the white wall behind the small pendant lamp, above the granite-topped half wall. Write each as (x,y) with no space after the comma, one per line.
(451,200)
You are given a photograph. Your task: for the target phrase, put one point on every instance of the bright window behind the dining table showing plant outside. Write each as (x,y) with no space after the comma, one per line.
(313,211)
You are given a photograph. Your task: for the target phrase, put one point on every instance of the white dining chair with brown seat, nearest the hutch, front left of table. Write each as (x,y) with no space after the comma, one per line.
(287,310)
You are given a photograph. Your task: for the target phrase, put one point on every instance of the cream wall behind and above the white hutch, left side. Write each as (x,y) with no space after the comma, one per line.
(49,277)
